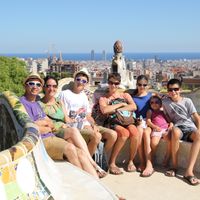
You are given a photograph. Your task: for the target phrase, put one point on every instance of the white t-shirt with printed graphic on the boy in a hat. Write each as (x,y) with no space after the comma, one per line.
(77,106)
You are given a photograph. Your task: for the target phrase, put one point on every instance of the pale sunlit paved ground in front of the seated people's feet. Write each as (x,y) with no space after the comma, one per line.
(157,187)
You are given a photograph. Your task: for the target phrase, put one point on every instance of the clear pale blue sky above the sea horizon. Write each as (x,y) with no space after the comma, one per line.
(78,26)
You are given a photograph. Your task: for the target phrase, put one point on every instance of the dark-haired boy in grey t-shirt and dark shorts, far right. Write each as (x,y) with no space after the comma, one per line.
(183,115)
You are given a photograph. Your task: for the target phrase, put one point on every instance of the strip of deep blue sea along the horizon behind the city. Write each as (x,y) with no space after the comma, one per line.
(99,56)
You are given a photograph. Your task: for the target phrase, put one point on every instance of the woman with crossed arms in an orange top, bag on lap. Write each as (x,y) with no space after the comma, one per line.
(123,132)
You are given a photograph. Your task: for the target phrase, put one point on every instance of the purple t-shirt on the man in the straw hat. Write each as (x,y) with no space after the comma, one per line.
(35,112)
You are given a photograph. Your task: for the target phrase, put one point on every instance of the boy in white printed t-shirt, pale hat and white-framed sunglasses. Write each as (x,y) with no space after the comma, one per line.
(78,109)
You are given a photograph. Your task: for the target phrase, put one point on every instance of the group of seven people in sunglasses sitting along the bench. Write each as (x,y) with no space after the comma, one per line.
(70,132)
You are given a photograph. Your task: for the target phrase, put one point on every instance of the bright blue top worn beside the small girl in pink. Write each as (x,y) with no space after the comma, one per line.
(143,105)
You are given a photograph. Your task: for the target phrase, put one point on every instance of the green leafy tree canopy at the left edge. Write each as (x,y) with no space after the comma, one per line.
(12,73)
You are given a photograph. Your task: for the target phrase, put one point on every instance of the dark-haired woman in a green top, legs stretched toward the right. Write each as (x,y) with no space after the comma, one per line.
(55,110)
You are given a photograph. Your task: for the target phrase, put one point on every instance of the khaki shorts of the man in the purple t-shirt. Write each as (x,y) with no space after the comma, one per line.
(55,147)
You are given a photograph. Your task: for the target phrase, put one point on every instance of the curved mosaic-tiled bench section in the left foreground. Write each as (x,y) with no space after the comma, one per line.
(27,172)
